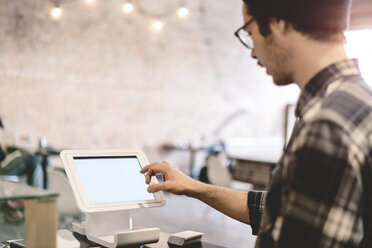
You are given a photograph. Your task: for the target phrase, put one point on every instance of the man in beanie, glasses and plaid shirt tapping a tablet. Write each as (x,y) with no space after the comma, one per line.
(320,193)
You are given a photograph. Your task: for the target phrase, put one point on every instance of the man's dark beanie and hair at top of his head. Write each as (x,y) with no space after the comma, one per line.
(322,20)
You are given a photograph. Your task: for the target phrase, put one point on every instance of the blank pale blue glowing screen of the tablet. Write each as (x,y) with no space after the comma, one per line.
(109,180)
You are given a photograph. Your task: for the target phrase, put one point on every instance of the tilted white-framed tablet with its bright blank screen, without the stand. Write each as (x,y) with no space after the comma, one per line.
(109,180)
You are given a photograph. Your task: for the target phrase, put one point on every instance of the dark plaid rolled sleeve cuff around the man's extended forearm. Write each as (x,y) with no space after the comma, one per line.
(256,203)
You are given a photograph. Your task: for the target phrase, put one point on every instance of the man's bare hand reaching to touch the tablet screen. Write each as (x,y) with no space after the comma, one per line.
(175,181)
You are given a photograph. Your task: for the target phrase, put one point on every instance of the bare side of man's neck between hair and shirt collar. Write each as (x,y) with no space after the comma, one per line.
(312,57)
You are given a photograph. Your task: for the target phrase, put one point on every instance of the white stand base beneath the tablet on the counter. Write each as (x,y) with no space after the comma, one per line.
(114,228)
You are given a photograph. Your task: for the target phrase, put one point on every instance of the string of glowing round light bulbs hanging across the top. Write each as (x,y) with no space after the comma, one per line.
(129,6)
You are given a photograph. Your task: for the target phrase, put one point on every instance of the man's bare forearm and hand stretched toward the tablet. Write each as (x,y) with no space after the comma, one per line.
(230,202)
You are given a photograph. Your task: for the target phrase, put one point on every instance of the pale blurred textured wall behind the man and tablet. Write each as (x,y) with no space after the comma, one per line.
(100,79)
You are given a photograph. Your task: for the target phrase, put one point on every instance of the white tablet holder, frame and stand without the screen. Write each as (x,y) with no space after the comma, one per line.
(110,225)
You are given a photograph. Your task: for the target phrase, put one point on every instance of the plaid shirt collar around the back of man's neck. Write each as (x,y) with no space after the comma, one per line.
(319,83)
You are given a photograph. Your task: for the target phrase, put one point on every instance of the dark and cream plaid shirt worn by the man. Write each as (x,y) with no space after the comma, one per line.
(320,193)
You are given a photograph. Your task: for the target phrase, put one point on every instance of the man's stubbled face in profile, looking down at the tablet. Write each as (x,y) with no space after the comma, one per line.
(270,52)
